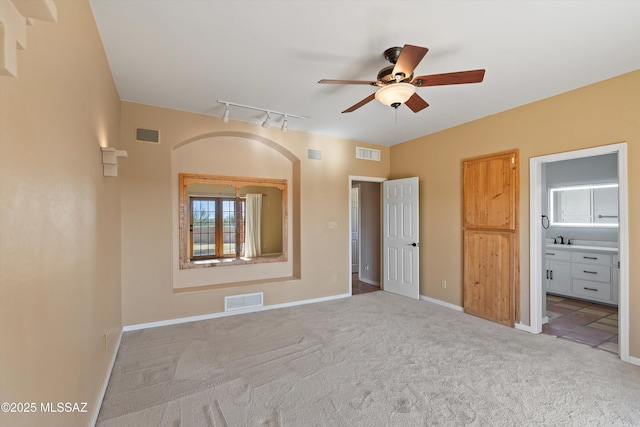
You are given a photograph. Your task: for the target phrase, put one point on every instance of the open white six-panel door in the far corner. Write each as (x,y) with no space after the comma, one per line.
(400,237)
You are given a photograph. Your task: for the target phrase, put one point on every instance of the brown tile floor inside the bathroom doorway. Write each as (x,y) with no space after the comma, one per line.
(586,322)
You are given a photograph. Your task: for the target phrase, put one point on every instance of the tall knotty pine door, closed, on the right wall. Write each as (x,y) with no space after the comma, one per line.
(490,233)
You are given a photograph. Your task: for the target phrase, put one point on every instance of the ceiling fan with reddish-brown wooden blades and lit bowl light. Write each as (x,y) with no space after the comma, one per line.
(397,83)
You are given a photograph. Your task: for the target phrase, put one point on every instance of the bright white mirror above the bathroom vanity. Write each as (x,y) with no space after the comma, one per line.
(584,206)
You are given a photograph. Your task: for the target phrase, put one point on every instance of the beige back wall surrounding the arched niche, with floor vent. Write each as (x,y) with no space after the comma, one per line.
(320,193)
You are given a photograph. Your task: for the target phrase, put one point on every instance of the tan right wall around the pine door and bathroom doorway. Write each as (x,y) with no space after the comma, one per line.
(604,113)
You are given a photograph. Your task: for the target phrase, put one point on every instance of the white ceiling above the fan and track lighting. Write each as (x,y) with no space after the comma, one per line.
(187,54)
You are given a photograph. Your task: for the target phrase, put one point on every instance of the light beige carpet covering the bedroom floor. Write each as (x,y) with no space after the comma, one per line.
(370,360)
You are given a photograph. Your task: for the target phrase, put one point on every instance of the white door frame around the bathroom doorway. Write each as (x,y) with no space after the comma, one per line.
(536,243)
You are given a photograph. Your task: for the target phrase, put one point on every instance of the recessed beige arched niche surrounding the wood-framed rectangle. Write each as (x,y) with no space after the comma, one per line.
(239,154)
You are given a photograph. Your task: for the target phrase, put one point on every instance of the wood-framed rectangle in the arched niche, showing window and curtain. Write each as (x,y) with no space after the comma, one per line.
(231,220)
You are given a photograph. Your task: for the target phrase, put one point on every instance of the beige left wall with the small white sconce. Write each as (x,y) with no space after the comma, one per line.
(60,220)
